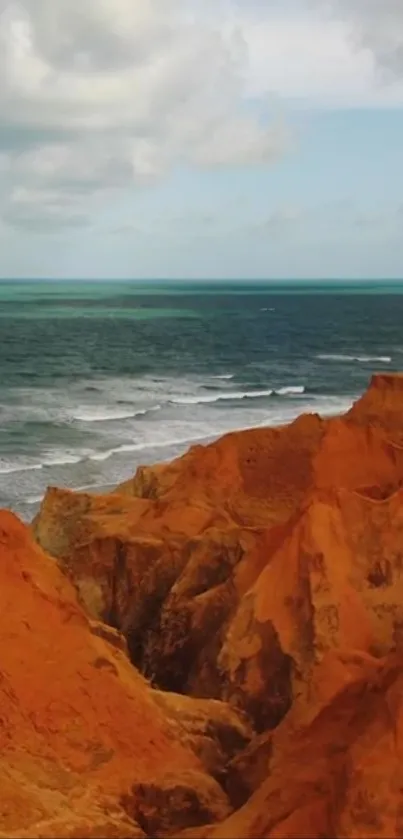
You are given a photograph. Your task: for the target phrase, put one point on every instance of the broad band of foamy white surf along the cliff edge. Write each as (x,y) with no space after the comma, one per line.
(106,452)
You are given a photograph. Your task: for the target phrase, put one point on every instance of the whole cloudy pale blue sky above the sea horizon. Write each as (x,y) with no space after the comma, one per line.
(201,139)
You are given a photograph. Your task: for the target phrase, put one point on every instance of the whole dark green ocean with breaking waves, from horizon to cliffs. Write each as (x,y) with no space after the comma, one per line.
(98,378)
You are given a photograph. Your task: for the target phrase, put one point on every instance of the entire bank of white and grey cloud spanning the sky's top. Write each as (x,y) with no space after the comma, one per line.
(103,95)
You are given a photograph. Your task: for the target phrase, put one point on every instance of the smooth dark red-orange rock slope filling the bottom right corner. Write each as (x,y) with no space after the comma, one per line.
(336,773)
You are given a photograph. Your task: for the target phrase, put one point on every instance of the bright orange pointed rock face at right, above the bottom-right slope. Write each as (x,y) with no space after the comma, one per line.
(335,582)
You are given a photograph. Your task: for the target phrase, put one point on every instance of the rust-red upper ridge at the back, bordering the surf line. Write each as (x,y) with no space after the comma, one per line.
(261,476)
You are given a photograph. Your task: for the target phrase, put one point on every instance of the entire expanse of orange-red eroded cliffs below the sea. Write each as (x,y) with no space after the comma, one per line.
(215,648)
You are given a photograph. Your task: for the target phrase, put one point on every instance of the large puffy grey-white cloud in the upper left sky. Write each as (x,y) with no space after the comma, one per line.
(107,93)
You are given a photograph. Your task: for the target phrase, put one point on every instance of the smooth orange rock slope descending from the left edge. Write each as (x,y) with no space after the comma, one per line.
(80,731)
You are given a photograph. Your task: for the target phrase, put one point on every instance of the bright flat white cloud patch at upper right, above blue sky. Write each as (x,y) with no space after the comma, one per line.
(314,61)
